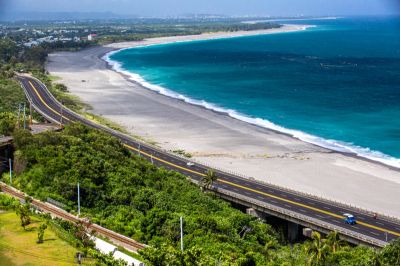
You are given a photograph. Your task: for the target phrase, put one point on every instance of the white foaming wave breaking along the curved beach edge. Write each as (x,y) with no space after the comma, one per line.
(330,144)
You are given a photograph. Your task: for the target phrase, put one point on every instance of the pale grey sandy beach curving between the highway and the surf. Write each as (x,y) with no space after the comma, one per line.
(219,140)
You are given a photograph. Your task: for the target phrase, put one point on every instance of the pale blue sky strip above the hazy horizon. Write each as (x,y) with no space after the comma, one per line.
(223,7)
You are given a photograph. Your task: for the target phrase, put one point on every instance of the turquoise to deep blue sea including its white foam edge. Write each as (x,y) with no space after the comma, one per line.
(336,84)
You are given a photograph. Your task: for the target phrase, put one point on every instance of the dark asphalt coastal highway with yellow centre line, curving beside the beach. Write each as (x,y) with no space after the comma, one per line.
(326,214)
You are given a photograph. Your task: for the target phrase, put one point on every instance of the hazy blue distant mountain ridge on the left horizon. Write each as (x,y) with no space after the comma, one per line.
(26,16)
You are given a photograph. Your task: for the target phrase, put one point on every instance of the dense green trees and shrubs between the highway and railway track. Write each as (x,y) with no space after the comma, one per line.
(125,193)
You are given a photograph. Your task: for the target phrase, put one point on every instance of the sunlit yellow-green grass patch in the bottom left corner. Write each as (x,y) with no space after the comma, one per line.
(19,247)
